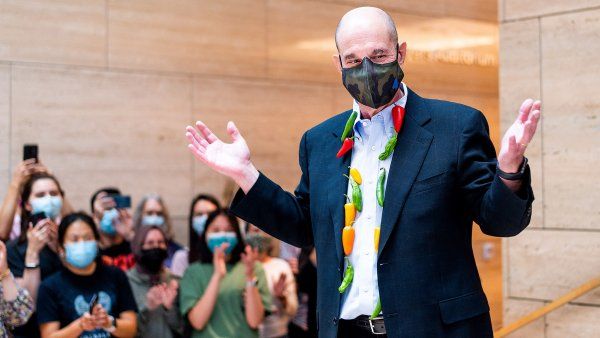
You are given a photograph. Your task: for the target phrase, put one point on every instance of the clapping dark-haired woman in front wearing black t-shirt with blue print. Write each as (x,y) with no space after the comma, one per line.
(85,298)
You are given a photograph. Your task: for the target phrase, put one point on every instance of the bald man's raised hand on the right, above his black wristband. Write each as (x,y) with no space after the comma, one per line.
(518,136)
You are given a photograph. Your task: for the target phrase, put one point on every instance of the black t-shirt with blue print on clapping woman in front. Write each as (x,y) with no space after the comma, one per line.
(65,296)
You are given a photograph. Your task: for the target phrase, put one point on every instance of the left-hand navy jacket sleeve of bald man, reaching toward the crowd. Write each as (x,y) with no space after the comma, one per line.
(283,215)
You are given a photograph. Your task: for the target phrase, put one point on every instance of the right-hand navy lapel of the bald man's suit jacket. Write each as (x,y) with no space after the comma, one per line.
(409,154)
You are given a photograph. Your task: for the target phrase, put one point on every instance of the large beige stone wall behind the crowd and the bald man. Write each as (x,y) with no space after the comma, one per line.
(106,87)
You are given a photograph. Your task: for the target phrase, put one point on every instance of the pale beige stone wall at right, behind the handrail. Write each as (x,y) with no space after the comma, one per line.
(549,49)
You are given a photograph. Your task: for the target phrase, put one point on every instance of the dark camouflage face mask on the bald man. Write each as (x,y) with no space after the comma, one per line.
(373,84)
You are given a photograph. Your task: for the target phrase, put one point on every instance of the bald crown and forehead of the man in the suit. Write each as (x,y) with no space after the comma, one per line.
(365,19)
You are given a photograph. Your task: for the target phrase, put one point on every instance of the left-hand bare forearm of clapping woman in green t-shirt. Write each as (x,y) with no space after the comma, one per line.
(200,314)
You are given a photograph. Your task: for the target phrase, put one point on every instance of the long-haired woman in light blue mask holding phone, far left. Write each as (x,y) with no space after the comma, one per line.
(33,256)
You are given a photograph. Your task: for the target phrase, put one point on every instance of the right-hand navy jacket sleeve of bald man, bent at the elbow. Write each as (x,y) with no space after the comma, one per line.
(498,210)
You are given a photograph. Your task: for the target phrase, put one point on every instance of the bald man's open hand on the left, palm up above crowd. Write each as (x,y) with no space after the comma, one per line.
(230,159)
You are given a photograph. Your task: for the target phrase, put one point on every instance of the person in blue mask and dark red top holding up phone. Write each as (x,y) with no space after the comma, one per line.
(115,227)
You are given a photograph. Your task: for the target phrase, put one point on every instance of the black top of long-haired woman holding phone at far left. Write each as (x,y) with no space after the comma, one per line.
(49,264)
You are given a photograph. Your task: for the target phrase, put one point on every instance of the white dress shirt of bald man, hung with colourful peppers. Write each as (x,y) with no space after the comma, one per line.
(371,136)
